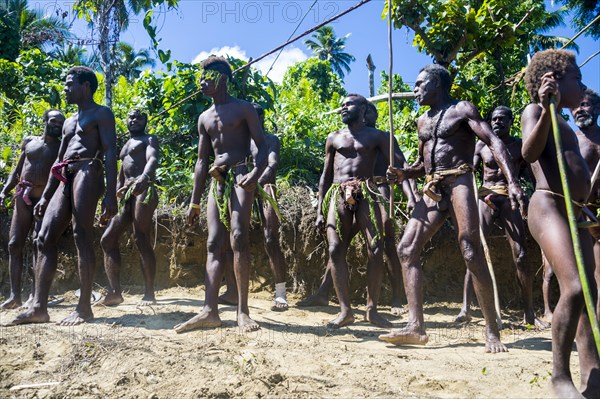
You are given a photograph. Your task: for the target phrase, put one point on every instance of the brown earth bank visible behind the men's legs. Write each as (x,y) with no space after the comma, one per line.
(181,256)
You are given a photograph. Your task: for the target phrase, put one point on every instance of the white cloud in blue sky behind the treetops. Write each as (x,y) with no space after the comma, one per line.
(288,57)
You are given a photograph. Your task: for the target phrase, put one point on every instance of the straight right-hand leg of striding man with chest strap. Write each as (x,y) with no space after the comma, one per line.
(467,224)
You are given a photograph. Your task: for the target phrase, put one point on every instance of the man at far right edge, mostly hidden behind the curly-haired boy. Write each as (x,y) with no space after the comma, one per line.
(586,119)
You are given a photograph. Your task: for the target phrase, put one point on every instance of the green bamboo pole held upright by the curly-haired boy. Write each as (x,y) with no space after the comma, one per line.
(589,303)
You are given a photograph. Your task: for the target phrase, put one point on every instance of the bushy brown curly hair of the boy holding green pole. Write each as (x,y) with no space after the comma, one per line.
(556,61)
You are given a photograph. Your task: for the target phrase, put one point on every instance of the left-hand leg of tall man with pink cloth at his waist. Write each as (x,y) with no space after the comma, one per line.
(56,220)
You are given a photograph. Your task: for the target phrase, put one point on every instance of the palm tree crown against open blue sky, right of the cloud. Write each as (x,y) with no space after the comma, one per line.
(327,46)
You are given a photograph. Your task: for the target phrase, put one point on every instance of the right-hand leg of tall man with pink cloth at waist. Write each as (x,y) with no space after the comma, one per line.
(87,189)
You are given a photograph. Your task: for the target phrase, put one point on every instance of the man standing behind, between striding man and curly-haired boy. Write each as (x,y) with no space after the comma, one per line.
(495,206)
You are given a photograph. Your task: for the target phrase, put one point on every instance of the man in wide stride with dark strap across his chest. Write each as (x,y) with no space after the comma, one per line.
(447,134)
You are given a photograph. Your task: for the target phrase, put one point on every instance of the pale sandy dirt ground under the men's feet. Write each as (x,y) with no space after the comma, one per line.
(132,352)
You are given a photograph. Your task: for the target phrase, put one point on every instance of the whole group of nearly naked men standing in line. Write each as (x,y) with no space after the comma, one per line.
(348,199)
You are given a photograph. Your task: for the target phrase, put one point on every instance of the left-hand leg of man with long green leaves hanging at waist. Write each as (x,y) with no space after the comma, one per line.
(217,242)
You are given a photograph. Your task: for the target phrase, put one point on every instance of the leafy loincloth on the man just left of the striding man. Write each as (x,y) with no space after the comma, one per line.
(352,192)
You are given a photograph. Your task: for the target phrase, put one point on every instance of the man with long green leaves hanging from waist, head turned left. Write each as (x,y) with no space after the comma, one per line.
(227,127)
